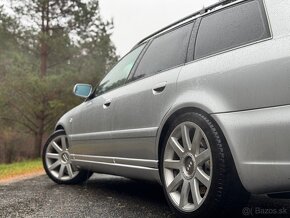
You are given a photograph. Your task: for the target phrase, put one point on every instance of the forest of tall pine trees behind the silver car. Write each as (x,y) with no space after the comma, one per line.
(46,47)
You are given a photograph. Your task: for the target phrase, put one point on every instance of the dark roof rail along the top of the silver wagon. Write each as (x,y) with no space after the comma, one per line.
(202,11)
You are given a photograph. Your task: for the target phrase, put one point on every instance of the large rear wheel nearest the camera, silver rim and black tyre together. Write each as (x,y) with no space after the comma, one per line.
(197,170)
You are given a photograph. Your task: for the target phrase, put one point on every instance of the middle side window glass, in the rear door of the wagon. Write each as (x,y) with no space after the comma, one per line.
(165,51)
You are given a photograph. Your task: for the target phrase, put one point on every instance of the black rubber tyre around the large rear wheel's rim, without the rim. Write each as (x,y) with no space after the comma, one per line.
(226,194)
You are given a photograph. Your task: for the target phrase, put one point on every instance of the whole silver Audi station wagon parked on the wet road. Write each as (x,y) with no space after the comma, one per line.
(201,106)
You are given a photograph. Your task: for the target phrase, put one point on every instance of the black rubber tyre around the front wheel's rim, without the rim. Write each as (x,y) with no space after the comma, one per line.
(82,175)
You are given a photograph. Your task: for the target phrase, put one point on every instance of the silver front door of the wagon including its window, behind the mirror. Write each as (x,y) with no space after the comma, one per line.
(92,127)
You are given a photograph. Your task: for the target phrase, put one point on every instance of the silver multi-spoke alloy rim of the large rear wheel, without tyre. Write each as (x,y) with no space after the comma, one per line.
(187,167)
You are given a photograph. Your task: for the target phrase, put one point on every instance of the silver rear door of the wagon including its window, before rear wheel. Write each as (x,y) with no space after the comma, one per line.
(139,107)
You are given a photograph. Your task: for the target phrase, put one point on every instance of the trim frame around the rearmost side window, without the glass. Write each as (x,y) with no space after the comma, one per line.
(266,20)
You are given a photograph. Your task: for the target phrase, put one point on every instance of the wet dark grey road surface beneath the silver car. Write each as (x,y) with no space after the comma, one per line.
(106,196)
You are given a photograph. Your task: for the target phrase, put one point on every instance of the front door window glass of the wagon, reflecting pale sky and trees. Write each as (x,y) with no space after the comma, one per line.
(119,74)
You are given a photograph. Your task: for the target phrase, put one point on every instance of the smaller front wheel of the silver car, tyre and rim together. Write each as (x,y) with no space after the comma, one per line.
(57,161)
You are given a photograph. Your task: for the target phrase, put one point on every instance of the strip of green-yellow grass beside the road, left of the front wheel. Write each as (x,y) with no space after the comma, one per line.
(20,168)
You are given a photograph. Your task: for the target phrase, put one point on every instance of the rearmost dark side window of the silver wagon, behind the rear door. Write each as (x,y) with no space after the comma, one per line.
(231,27)
